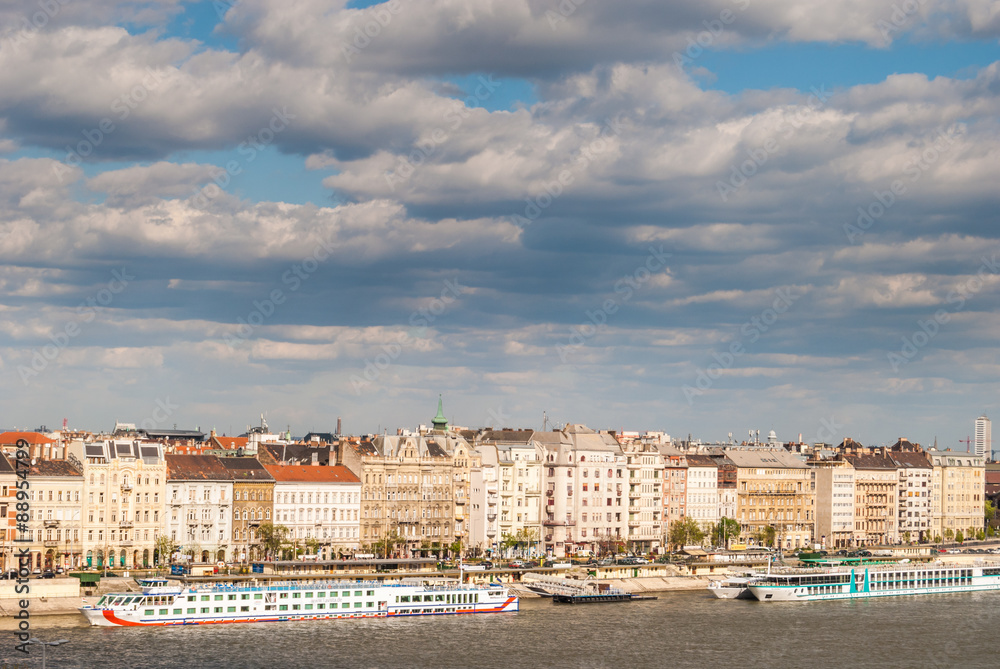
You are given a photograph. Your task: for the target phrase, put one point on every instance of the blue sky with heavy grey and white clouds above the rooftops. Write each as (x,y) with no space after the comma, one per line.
(701,218)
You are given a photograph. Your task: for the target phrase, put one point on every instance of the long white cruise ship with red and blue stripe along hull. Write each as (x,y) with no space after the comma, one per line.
(253,601)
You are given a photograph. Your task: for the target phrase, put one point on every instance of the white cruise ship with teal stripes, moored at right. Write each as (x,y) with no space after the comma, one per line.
(875,581)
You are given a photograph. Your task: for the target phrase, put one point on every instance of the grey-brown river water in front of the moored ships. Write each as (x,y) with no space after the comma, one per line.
(679,630)
